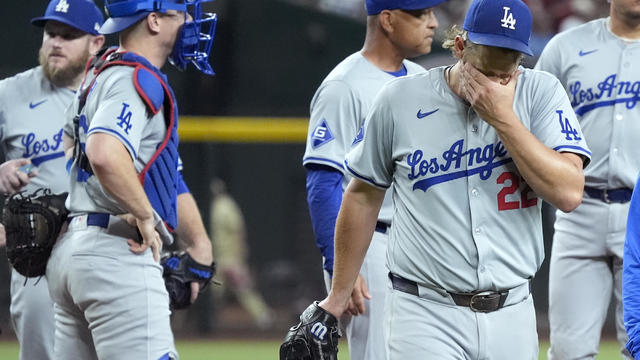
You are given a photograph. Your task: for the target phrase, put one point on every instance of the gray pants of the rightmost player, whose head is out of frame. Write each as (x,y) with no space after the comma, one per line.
(585,270)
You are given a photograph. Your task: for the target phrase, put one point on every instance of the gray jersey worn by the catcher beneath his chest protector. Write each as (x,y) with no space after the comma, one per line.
(113,107)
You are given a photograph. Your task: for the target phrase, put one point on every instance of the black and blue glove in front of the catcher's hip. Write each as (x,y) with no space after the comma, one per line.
(180,269)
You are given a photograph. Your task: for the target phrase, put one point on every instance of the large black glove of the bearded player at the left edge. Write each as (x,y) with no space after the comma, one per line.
(32,224)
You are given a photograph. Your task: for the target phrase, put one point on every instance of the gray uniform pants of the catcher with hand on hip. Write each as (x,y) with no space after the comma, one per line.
(111,303)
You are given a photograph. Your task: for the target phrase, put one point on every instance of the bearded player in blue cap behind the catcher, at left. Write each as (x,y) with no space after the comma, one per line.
(32,106)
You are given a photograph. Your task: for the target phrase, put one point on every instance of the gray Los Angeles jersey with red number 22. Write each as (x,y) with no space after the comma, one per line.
(464,220)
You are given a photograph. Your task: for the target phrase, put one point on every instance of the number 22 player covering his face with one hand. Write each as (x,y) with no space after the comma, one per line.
(470,150)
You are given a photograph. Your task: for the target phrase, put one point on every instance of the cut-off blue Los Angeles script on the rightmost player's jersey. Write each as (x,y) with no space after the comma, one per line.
(608,92)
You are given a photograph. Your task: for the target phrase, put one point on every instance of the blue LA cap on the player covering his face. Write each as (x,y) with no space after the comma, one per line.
(500,23)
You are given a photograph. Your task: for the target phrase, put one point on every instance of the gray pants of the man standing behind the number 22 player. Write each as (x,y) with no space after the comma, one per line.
(364,332)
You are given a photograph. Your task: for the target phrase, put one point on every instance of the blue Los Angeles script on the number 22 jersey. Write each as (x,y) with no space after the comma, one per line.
(485,159)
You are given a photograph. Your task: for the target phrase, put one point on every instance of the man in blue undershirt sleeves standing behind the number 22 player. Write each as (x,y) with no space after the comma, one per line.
(396,29)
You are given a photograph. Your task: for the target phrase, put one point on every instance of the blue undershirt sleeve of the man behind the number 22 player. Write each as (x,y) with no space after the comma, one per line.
(324,195)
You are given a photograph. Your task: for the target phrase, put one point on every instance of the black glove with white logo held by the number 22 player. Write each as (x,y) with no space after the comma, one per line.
(314,338)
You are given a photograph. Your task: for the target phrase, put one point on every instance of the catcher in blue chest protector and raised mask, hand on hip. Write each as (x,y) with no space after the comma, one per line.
(111,301)
